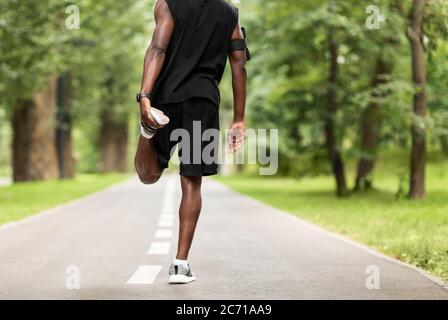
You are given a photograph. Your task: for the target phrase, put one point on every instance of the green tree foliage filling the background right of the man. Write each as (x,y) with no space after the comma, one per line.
(289,74)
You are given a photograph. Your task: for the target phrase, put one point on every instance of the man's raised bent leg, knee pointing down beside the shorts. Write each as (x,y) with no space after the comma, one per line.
(146,161)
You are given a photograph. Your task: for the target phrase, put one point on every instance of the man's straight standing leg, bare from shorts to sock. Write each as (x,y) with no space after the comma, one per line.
(190,208)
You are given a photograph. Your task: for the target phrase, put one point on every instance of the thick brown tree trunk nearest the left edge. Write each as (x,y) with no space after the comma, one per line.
(34,152)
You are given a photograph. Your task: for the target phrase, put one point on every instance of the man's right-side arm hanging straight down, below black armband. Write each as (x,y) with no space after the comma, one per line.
(239,84)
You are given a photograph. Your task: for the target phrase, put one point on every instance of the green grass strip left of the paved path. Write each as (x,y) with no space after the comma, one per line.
(20,200)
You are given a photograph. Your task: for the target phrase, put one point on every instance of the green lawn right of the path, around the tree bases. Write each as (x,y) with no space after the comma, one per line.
(412,231)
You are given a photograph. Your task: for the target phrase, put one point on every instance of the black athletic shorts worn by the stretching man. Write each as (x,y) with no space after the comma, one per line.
(198,152)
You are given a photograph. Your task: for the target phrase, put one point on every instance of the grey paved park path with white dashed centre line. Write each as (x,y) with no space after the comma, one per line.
(122,240)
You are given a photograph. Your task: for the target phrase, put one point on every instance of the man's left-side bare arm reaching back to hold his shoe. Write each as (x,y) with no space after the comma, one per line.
(155,56)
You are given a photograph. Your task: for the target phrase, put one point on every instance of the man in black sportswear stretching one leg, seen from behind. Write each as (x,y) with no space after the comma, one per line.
(182,70)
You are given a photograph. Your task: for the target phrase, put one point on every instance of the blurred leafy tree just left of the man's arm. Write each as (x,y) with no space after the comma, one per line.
(106,70)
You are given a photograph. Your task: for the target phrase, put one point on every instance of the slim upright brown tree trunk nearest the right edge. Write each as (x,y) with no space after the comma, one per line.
(418,151)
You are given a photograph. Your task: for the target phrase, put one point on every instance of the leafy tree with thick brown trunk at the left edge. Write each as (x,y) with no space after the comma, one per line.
(30,60)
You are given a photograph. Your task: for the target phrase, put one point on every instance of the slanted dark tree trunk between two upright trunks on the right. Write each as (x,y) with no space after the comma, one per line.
(370,129)
